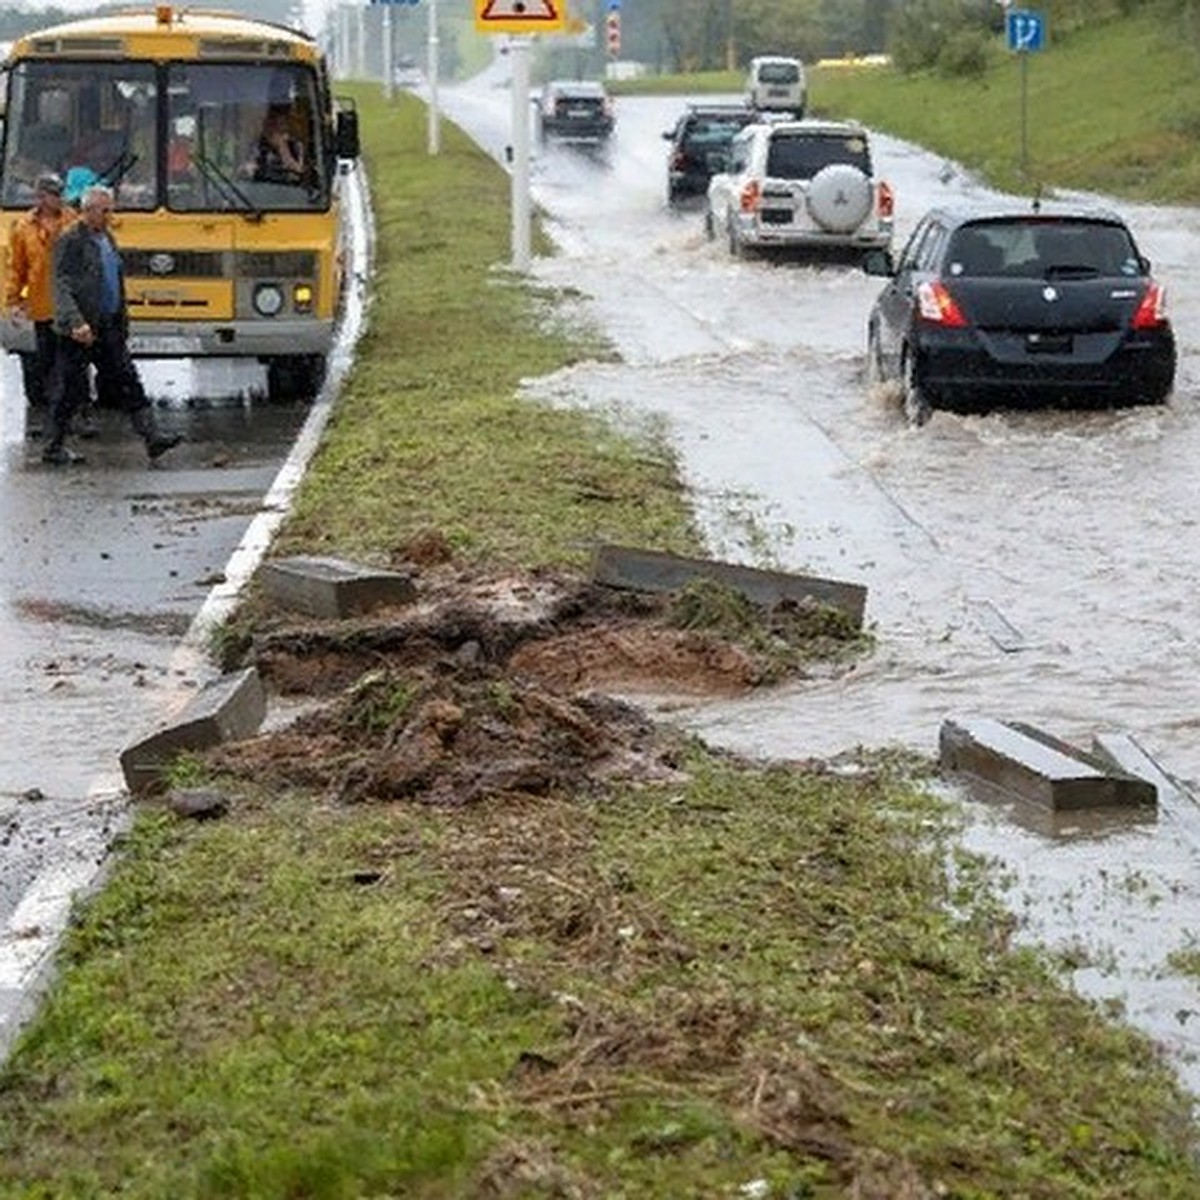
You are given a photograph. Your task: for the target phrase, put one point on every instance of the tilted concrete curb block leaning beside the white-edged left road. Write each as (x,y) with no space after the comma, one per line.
(226,710)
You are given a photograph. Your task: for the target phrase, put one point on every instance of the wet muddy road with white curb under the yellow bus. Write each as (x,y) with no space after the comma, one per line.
(112,577)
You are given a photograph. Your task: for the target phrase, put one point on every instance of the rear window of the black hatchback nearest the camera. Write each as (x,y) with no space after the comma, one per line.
(1035,248)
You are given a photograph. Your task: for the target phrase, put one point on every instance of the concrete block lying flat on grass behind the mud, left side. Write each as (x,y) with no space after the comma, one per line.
(333,587)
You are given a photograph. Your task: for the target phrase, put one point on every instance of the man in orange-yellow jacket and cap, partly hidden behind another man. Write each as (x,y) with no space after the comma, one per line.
(29,287)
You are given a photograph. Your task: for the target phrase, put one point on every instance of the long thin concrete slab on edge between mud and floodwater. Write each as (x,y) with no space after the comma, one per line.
(647,571)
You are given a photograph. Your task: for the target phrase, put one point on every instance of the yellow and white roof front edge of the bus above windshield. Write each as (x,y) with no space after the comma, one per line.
(143,31)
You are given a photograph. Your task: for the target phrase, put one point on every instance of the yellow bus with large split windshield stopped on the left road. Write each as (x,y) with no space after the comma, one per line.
(224,147)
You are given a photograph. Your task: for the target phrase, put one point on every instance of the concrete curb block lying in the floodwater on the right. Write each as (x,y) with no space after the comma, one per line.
(1035,766)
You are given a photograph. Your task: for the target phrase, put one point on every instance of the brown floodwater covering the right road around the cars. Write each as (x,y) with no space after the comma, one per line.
(1024,566)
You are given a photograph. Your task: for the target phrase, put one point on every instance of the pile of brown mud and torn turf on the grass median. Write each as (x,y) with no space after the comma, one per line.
(502,686)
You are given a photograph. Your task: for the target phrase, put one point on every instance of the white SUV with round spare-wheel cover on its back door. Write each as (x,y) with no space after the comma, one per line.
(800,184)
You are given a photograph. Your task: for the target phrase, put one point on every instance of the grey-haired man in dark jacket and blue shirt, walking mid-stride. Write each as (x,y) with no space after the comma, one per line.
(92,323)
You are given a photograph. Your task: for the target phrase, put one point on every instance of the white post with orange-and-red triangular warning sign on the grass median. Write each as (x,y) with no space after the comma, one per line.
(523,19)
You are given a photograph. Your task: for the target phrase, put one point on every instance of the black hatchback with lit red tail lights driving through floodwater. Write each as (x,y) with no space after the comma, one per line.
(1034,305)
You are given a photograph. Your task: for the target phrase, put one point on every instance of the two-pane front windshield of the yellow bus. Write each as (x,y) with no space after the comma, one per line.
(230,137)
